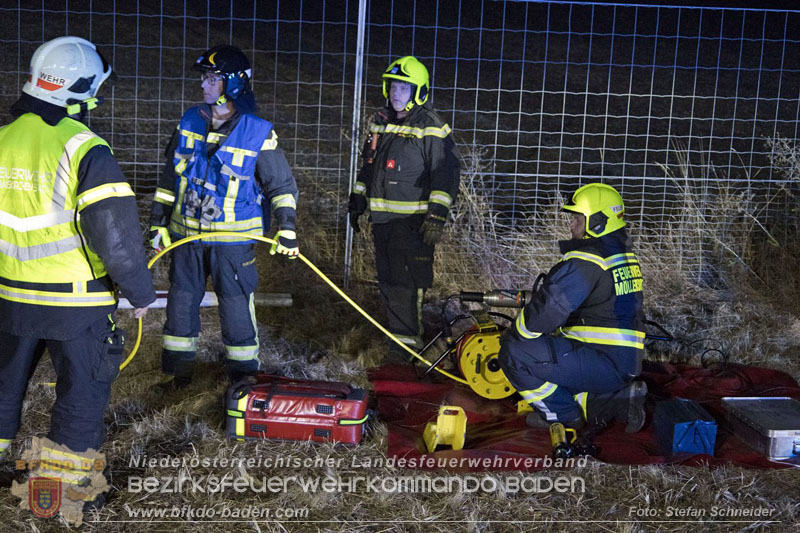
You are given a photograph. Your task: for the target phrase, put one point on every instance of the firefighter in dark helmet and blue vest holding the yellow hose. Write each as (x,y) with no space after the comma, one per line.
(224,172)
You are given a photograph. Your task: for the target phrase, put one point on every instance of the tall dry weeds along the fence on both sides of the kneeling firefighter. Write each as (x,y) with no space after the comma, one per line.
(706,279)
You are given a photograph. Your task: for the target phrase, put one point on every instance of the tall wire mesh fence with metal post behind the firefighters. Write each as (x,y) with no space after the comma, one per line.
(655,100)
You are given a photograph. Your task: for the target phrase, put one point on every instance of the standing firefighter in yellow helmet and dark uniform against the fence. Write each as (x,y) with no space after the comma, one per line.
(409,180)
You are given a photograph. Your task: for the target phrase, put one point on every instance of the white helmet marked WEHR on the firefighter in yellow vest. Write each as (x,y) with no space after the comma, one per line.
(66,71)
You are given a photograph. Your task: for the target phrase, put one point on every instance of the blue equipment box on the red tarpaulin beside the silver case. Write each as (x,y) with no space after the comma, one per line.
(682,426)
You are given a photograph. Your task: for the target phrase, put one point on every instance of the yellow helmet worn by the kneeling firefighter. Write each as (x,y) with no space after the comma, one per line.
(602,206)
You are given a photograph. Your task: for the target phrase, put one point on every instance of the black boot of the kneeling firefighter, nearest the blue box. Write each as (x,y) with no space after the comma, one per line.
(625,405)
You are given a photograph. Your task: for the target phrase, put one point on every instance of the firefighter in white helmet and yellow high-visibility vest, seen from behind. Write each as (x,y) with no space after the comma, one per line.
(70,236)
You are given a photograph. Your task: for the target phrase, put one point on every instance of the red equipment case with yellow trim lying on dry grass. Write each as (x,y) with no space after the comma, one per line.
(274,407)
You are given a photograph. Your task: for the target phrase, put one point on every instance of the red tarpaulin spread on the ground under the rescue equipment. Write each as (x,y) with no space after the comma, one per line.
(498,439)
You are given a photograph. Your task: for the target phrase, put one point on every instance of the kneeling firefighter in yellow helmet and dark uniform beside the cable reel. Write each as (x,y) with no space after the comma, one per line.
(576,348)
